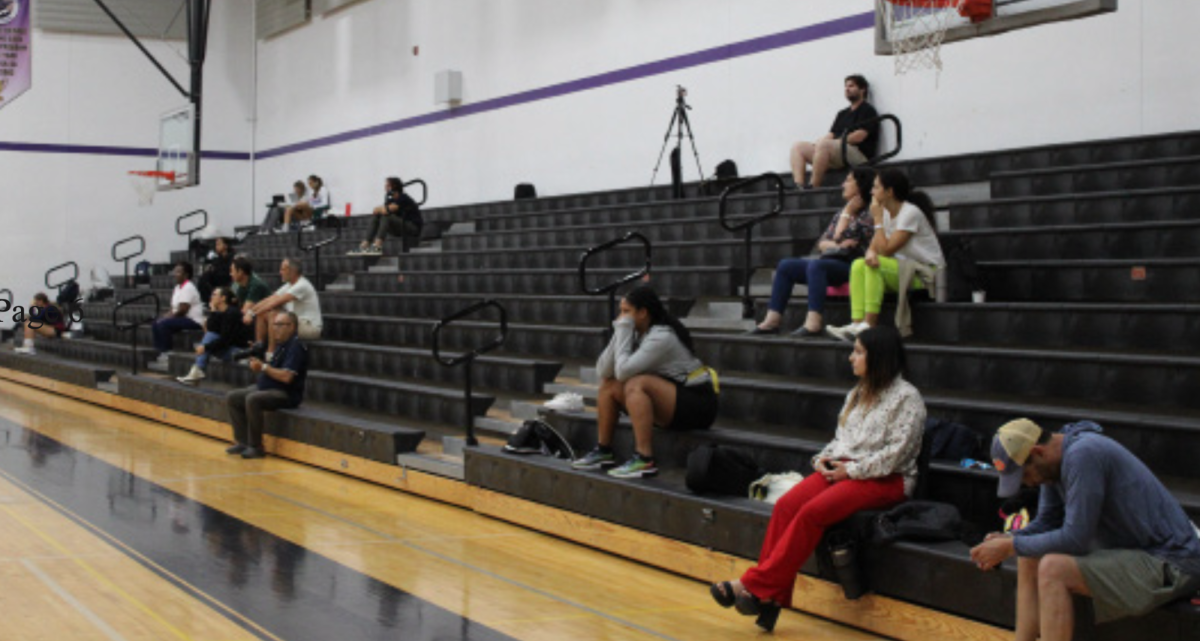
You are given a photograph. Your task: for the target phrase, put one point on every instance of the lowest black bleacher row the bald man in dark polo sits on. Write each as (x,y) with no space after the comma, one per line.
(374,438)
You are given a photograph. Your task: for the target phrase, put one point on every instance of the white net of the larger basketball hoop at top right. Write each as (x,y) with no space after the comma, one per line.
(916,29)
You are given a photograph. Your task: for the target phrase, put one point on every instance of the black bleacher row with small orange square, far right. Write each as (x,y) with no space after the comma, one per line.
(1151,280)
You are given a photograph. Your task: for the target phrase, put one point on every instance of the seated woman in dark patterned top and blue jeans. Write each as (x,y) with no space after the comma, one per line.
(844,242)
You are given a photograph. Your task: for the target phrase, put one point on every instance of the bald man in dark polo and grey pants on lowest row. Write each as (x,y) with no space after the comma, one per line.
(280,386)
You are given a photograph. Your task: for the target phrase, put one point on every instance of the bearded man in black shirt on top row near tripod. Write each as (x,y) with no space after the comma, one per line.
(826,153)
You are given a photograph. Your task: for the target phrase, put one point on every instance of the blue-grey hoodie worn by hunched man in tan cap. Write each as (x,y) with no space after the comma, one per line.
(1108,499)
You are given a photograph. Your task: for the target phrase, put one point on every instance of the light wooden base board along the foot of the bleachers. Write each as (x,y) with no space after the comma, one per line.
(874,614)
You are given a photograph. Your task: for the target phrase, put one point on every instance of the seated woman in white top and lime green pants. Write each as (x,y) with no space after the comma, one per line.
(904,248)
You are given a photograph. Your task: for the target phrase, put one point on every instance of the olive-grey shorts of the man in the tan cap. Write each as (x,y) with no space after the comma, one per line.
(1132,583)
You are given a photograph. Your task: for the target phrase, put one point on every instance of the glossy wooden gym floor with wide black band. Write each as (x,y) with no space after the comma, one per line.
(115,528)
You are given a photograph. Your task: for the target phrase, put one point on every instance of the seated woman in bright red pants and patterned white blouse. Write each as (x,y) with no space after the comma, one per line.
(871,465)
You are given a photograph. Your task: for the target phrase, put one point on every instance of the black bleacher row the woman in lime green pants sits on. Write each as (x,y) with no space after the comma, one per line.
(1101,326)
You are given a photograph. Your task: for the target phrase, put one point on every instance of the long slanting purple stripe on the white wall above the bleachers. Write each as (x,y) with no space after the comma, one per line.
(728,52)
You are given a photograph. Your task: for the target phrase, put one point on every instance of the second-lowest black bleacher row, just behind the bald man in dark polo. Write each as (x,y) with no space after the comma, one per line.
(398,397)
